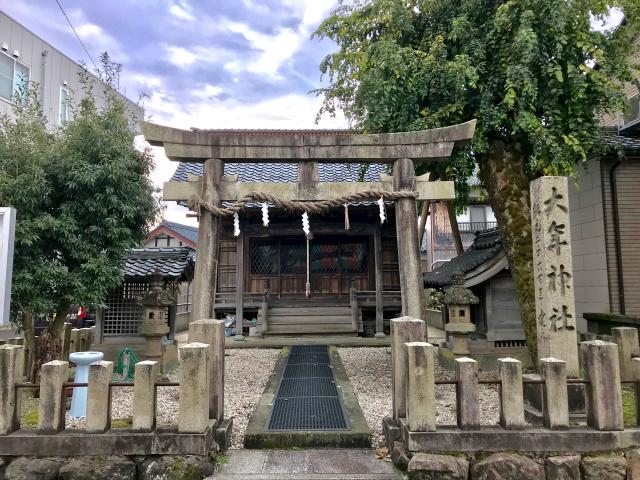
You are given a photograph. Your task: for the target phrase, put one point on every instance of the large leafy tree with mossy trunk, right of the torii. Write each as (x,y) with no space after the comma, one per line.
(534,73)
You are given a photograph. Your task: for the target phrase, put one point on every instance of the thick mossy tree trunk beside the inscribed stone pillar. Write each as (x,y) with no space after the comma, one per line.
(503,173)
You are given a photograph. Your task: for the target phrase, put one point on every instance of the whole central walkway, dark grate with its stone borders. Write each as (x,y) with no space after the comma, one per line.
(308,402)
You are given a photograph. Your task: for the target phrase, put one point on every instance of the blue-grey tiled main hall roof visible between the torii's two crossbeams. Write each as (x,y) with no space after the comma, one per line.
(284,172)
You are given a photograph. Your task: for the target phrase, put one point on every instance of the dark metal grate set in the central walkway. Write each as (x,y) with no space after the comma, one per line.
(307,398)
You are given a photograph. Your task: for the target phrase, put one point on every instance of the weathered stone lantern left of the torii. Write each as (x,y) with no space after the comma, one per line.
(154,324)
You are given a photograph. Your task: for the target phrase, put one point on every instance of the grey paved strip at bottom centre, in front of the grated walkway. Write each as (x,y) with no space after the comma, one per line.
(325,464)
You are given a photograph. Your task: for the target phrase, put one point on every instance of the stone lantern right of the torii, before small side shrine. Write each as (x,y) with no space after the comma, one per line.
(458,299)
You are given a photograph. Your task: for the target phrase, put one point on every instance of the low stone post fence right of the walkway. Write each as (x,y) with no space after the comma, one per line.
(412,429)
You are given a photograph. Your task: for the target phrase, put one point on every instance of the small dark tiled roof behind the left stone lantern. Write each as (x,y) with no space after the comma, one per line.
(175,263)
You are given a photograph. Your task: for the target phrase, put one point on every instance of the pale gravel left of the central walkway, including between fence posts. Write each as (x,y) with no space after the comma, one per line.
(246,374)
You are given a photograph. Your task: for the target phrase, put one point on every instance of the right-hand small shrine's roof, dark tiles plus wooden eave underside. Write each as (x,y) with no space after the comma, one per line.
(484,255)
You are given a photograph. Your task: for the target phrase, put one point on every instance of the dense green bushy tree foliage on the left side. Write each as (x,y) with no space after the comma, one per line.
(82,194)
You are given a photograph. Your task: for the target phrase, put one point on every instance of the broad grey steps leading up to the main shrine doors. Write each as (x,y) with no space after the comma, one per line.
(310,319)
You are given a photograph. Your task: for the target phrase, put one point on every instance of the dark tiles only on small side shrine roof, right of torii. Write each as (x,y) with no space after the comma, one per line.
(487,244)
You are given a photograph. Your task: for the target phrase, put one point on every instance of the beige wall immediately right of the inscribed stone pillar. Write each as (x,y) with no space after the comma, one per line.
(588,242)
